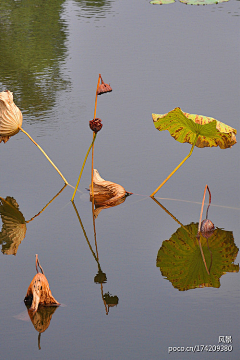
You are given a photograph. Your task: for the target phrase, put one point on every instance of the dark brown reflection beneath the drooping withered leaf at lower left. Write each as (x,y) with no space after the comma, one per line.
(42,317)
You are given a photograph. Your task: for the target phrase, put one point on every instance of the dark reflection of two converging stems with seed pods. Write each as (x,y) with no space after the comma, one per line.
(100,277)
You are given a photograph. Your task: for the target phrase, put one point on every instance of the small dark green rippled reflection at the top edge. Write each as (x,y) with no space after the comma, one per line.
(94,8)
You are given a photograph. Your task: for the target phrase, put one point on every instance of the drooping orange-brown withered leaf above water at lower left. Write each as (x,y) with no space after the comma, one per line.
(40,293)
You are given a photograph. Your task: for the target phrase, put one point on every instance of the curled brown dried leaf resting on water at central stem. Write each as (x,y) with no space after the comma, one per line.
(106,193)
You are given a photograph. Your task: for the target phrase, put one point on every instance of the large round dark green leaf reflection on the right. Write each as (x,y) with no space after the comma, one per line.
(180,260)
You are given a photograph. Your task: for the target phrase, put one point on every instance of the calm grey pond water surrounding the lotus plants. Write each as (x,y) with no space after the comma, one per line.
(156,58)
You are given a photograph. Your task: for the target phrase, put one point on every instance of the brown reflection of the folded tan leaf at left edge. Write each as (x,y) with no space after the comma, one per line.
(14,226)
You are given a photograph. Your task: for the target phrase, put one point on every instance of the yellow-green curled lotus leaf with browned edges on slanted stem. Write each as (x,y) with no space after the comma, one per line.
(184,127)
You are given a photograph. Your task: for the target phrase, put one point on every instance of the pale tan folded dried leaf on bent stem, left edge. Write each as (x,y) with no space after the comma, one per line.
(10,116)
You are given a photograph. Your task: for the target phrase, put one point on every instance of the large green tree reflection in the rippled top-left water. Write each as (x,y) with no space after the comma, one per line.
(30,56)
